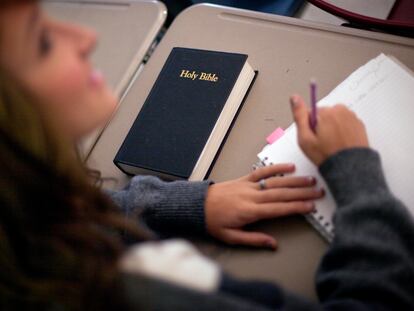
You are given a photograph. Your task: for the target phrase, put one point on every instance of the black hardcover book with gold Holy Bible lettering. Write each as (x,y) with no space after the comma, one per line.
(186,116)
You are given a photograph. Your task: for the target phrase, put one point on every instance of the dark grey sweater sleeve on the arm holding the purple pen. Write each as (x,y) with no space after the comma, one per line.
(370,263)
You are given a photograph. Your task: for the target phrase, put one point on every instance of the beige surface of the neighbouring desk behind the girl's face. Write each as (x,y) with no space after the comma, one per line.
(126,30)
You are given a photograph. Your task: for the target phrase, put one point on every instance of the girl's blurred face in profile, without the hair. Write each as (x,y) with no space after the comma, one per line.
(51,60)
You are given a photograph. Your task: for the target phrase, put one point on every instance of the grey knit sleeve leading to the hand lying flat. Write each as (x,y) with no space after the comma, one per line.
(164,207)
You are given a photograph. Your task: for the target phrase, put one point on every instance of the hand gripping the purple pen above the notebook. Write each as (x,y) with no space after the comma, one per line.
(338,128)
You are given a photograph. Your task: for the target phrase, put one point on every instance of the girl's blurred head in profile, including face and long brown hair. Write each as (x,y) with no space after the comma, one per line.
(60,238)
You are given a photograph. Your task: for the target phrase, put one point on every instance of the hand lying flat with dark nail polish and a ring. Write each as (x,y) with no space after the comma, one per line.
(232,205)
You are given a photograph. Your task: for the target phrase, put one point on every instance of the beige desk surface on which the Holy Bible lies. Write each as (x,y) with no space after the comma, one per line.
(287,52)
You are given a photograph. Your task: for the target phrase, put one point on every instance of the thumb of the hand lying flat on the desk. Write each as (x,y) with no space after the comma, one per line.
(257,239)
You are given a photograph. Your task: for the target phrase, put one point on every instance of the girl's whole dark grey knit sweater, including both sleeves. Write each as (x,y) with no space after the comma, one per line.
(368,266)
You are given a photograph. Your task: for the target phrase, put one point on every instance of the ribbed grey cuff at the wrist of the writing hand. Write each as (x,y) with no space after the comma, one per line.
(352,173)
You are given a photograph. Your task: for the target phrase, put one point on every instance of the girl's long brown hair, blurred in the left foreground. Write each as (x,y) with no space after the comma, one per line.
(60,237)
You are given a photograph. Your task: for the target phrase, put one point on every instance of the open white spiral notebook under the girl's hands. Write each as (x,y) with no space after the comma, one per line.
(381,93)
